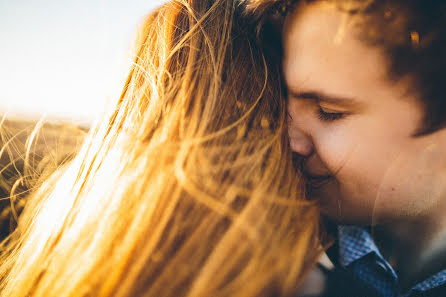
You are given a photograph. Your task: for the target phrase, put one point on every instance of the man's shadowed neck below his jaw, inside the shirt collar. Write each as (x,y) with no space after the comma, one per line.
(416,249)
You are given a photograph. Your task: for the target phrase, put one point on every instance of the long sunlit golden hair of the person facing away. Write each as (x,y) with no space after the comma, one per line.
(188,188)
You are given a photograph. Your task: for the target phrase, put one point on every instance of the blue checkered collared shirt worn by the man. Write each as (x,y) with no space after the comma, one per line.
(359,254)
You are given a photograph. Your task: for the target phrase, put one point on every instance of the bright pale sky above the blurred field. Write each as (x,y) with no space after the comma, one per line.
(65,58)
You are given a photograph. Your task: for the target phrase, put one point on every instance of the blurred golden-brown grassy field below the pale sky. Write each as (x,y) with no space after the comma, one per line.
(30,152)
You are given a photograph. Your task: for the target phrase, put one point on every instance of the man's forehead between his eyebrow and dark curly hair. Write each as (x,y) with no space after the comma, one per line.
(314,59)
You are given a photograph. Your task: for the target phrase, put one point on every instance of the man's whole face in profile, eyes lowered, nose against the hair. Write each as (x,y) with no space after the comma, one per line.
(354,126)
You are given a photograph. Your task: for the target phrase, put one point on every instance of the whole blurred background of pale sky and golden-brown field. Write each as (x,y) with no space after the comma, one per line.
(60,62)
